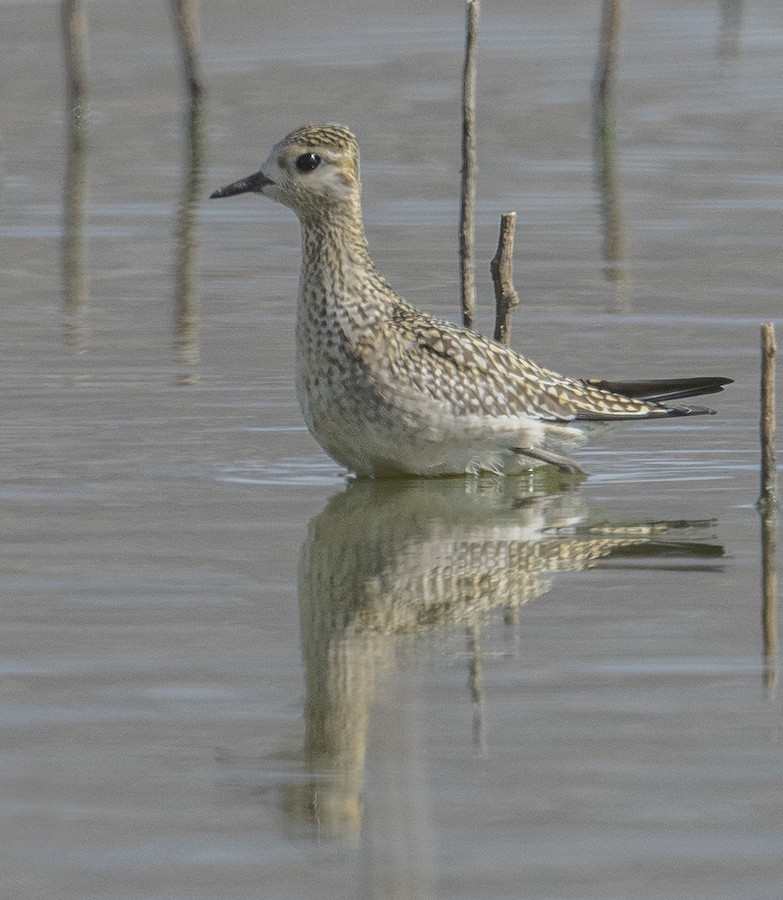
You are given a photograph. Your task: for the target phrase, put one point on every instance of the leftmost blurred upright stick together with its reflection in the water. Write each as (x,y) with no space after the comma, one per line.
(74,28)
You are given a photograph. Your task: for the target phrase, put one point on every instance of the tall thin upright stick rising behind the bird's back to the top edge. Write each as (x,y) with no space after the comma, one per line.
(468,198)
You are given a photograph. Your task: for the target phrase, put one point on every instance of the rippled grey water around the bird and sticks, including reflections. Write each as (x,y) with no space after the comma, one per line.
(230,671)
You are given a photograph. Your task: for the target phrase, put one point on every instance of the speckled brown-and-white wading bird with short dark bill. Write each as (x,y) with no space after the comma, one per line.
(386,389)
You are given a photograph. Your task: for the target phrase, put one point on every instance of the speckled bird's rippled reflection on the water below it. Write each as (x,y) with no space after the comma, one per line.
(387,560)
